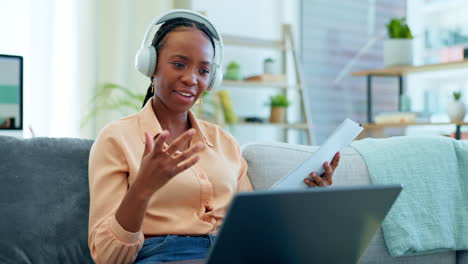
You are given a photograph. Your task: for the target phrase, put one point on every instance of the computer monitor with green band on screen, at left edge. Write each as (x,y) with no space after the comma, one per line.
(11,92)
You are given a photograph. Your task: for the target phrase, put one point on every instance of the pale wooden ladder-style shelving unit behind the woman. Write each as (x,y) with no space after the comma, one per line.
(286,47)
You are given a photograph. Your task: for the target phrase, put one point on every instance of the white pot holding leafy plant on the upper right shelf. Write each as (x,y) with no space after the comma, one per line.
(398,52)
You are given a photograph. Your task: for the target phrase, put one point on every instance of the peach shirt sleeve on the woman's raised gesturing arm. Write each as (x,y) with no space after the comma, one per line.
(108,241)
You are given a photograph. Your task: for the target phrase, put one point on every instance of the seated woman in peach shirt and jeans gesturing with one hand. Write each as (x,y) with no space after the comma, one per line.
(161,180)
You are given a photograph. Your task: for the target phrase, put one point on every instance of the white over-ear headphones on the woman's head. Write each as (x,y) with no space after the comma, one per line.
(146,57)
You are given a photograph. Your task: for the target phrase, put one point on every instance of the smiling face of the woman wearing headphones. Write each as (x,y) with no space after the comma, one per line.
(183,69)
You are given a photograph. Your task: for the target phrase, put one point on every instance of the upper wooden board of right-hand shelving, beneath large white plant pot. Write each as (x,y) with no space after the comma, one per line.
(402,70)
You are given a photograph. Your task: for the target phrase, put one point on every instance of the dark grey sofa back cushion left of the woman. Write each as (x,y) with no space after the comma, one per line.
(44,200)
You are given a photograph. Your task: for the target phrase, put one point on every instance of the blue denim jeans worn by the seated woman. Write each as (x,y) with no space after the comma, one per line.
(173,248)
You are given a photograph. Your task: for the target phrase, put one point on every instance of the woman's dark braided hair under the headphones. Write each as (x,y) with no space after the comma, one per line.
(159,40)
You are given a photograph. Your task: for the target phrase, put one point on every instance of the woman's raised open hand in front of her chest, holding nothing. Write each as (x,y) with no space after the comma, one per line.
(160,163)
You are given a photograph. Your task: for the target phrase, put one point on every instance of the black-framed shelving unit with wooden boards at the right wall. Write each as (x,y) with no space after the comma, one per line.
(399,72)
